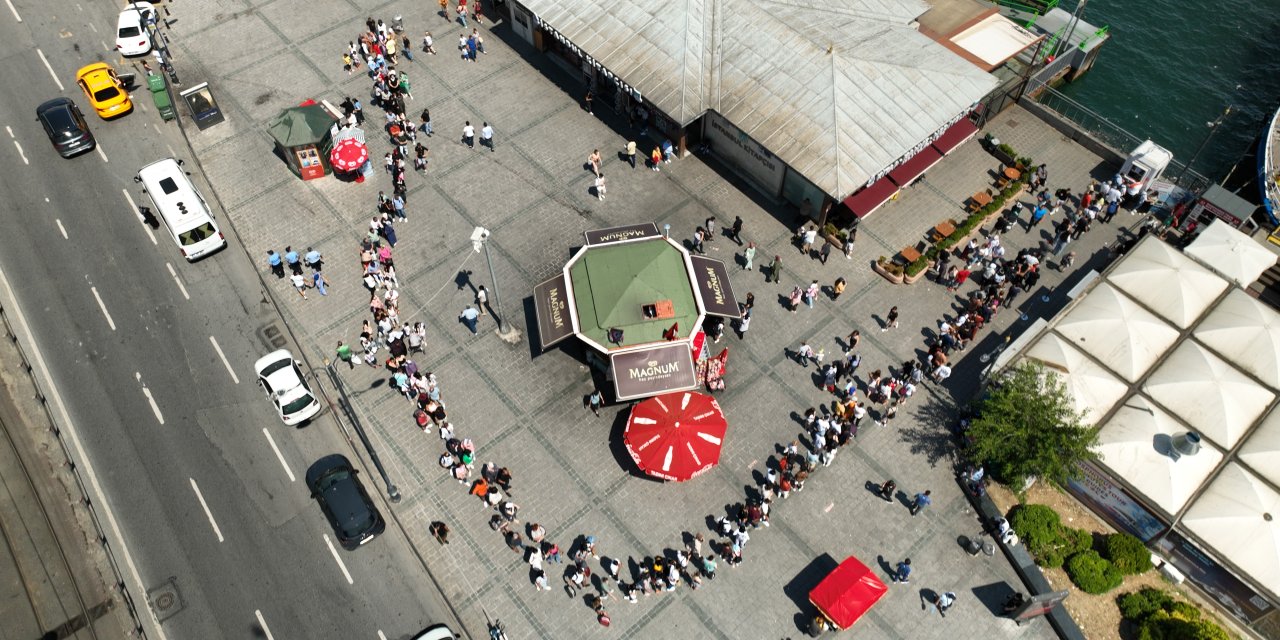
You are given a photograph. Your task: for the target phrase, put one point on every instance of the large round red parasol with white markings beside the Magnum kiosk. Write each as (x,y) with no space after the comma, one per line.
(676,437)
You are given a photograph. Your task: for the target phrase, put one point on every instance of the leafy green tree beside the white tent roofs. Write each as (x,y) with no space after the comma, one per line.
(1027,427)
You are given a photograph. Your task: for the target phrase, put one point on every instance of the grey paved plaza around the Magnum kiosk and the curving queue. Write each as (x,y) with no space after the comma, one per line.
(524,409)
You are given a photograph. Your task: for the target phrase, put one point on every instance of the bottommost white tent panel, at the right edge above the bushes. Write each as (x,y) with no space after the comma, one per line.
(1240,518)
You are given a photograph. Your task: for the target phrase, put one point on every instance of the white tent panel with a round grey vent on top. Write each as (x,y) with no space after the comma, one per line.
(1128,445)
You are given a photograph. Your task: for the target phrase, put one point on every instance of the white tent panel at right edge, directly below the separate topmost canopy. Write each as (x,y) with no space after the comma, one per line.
(1247,333)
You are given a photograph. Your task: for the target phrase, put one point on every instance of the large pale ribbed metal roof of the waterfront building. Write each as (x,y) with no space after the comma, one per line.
(839,92)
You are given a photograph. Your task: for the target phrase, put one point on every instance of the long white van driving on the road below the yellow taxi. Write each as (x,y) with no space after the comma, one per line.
(184,212)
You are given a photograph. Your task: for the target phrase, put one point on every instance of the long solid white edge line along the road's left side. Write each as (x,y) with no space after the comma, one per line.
(104,502)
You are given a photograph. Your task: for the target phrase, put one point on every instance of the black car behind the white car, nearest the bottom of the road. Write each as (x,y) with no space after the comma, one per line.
(353,515)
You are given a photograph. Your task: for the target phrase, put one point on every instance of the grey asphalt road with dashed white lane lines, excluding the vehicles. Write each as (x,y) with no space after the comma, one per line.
(205,482)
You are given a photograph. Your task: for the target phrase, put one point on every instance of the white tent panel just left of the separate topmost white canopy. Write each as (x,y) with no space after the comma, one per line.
(1168,282)
